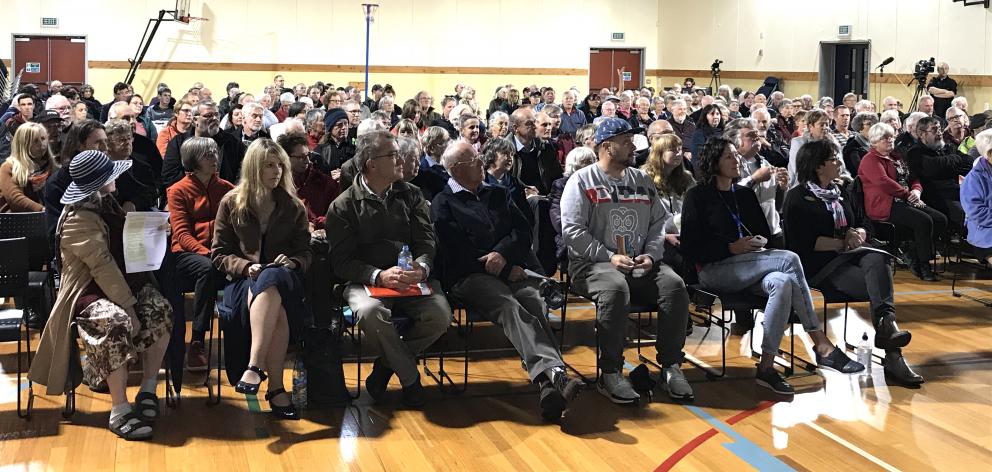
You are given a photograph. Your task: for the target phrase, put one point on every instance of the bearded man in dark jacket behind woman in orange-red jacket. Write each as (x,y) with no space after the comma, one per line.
(206,124)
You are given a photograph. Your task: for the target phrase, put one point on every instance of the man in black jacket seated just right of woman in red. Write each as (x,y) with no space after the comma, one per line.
(938,166)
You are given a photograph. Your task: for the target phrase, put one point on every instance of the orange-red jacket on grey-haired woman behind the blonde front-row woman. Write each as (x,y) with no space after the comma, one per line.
(192,209)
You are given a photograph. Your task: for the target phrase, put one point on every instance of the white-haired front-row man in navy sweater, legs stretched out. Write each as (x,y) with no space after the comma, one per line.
(485,241)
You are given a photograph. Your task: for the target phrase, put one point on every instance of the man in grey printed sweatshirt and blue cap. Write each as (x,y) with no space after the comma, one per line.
(613,224)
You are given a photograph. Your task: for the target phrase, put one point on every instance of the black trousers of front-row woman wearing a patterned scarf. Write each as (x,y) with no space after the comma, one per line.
(868,277)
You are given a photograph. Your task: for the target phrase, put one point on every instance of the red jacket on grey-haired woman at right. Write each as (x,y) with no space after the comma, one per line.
(878,177)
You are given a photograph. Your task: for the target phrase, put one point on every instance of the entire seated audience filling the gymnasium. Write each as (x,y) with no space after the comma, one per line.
(414,210)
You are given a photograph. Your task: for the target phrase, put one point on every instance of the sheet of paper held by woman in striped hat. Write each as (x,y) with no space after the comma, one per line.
(145,240)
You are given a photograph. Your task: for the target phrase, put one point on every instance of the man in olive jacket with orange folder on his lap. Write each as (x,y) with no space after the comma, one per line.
(367,225)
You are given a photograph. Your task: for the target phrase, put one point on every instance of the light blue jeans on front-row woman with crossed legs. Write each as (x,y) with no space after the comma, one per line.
(775,273)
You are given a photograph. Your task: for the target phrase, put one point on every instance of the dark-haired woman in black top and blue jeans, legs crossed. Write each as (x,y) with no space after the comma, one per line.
(721,225)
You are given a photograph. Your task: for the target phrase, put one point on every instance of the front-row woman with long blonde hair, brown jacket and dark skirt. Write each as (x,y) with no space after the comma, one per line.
(262,243)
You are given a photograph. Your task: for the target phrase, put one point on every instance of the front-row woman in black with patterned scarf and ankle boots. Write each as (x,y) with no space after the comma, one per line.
(820,227)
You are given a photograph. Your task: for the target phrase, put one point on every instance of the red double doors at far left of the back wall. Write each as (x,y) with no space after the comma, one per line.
(47,58)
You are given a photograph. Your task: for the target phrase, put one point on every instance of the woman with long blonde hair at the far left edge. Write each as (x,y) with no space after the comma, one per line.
(23,174)
